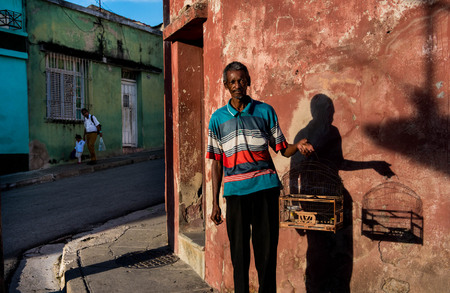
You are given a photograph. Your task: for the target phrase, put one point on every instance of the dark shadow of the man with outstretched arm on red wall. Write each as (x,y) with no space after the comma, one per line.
(329,256)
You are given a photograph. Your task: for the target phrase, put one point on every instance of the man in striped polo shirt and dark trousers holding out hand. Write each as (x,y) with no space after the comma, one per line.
(238,139)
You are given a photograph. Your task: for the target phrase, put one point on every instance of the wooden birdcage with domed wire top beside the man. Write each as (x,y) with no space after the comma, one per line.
(312,198)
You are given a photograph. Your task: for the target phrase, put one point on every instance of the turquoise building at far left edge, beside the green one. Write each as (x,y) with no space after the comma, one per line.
(13,88)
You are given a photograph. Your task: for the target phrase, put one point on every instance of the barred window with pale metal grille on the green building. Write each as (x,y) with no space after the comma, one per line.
(66,86)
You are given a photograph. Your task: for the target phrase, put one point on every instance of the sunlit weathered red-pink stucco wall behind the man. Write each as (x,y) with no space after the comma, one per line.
(384,64)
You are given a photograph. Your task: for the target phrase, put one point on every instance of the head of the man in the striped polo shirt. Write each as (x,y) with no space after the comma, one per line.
(236,79)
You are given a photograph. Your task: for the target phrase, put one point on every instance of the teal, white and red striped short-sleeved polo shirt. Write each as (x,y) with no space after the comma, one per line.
(241,141)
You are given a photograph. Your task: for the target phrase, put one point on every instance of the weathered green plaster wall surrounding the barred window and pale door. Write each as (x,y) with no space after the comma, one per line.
(61,27)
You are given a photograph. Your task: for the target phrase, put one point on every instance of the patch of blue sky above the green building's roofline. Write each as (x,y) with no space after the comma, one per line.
(146,11)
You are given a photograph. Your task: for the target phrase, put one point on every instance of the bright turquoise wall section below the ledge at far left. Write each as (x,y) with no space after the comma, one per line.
(14,104)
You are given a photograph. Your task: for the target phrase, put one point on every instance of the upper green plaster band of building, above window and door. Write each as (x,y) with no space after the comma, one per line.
(51,23)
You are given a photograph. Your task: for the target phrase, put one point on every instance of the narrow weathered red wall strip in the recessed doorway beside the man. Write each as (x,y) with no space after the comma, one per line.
(186,151)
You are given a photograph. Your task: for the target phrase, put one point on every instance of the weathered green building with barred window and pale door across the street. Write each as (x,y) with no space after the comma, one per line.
(89,58)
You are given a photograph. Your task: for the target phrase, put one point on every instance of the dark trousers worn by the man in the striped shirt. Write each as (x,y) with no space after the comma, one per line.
(254,214)
